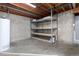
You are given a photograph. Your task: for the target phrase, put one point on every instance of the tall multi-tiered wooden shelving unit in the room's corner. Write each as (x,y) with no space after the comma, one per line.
(41,28)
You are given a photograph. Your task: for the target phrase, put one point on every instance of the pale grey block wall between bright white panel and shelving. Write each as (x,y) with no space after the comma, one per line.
(20,27)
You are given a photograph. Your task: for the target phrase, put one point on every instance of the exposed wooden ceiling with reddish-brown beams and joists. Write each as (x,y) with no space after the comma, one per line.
(42,9)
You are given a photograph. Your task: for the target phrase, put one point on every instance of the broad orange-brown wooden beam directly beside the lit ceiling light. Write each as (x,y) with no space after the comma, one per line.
(28,8)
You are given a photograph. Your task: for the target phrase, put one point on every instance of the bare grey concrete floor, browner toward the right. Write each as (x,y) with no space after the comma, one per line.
(36,47)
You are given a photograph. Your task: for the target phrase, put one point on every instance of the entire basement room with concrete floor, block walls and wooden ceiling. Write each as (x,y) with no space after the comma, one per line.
(39,29)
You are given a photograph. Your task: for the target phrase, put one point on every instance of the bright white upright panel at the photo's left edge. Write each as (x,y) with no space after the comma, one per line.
(4,34)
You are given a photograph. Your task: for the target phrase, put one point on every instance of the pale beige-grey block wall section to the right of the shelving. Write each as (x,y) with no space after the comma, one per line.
(65,27)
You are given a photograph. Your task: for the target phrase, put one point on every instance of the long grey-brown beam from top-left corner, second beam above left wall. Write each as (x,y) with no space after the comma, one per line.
(6,5)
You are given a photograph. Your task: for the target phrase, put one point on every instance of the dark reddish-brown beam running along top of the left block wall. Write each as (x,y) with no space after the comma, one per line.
(3,9)
